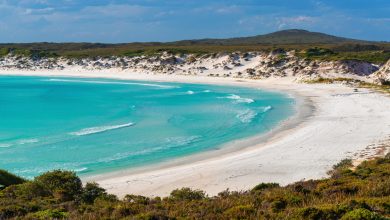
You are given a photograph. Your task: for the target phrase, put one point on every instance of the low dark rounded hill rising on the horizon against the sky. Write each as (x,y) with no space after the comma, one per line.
(292,36)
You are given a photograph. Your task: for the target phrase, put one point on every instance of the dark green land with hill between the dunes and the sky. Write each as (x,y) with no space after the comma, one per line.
(309,45)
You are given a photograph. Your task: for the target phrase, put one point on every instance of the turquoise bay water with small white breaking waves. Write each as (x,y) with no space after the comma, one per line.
(98,125)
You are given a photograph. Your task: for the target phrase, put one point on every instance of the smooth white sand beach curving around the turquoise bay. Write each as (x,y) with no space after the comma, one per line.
(344,124)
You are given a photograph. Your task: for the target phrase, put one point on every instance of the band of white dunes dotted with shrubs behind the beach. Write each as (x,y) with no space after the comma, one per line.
(256,65)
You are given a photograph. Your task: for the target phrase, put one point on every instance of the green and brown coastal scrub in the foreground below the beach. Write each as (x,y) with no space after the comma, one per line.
(361,192)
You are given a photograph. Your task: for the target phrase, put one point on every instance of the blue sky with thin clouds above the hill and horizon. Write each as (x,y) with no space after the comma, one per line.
(116,21)
